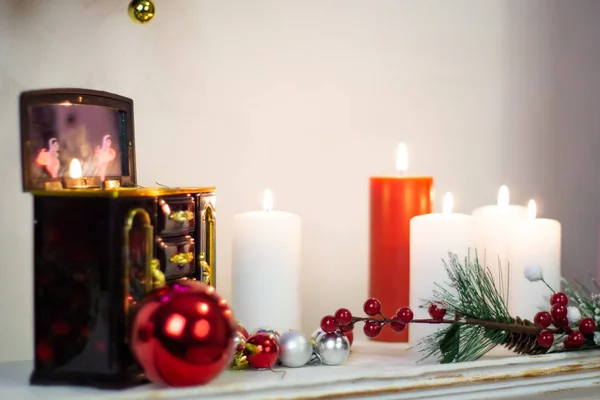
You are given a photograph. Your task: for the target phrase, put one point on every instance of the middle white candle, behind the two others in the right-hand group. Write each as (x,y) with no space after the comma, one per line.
(493,225)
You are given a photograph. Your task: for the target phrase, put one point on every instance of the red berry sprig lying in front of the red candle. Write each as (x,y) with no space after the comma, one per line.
(344,321)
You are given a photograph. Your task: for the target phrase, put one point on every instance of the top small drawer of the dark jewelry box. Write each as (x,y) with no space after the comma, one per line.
(176,215)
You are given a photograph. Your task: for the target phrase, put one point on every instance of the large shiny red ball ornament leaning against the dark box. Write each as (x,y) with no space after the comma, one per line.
(182,334)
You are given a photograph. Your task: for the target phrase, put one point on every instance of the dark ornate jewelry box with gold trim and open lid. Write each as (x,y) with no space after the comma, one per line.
(100,241)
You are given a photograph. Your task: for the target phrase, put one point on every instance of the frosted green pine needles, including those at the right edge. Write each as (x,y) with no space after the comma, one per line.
(478,318)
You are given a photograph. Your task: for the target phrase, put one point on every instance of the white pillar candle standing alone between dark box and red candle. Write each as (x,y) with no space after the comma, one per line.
(266,268)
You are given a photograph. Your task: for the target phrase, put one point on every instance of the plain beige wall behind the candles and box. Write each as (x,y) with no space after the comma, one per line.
(310,98)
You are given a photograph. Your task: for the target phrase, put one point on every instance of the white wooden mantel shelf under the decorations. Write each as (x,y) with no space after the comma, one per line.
(373,371)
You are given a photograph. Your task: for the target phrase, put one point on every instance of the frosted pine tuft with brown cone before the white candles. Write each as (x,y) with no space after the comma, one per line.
(481,318)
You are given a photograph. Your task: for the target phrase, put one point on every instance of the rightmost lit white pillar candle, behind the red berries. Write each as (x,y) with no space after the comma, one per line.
(533,241)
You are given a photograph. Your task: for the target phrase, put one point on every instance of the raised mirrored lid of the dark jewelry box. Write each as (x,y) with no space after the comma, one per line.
(76,138)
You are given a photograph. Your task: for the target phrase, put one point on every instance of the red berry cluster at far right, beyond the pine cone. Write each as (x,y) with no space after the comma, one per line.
(558,317)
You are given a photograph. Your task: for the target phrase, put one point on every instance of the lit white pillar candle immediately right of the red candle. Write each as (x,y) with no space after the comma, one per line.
(432,237)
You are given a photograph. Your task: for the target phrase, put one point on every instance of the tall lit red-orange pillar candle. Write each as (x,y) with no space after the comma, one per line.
(393,202)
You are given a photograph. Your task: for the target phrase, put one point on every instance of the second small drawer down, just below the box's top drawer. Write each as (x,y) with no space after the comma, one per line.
(177,256)
